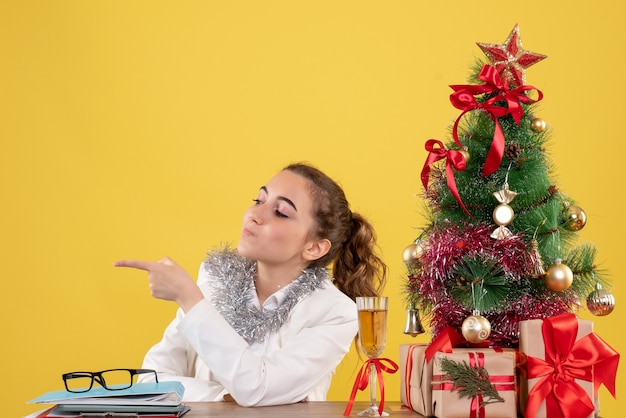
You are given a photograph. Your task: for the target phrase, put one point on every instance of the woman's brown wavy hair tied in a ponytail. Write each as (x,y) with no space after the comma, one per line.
(357,269)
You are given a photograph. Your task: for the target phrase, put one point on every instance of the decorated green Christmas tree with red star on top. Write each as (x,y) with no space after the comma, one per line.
(501,244)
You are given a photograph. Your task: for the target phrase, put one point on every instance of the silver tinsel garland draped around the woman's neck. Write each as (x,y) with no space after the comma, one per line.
(232,280)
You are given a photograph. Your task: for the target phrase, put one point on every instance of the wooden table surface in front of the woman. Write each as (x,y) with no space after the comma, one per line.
(302,409)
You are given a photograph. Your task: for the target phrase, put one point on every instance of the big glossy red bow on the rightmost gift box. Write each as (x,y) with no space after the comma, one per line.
(566,359)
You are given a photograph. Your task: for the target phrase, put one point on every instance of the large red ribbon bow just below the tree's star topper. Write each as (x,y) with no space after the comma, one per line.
(463,99)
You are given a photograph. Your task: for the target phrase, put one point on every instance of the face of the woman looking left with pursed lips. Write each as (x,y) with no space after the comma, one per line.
(278,228)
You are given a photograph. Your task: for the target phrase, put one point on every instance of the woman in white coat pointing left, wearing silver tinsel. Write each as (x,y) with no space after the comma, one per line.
(265,324)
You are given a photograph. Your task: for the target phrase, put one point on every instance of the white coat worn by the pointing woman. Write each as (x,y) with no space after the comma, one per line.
(201,350)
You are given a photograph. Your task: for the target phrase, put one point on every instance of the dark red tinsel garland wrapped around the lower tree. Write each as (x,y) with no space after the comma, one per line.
(447,246)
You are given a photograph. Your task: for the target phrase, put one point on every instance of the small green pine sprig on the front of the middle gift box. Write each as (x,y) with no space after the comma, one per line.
(469,381)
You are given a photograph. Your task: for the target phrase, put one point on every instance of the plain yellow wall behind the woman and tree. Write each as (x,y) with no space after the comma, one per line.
(140,129)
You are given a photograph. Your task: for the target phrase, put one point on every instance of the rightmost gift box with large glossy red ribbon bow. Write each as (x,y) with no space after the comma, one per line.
(564,363)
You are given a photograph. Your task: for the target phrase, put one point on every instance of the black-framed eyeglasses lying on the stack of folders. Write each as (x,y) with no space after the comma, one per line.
(112,379)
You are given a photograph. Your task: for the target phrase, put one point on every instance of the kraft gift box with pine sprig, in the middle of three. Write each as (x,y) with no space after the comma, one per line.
(447,400)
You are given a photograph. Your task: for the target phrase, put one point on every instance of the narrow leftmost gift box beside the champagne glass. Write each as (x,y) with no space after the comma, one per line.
(415,378)
